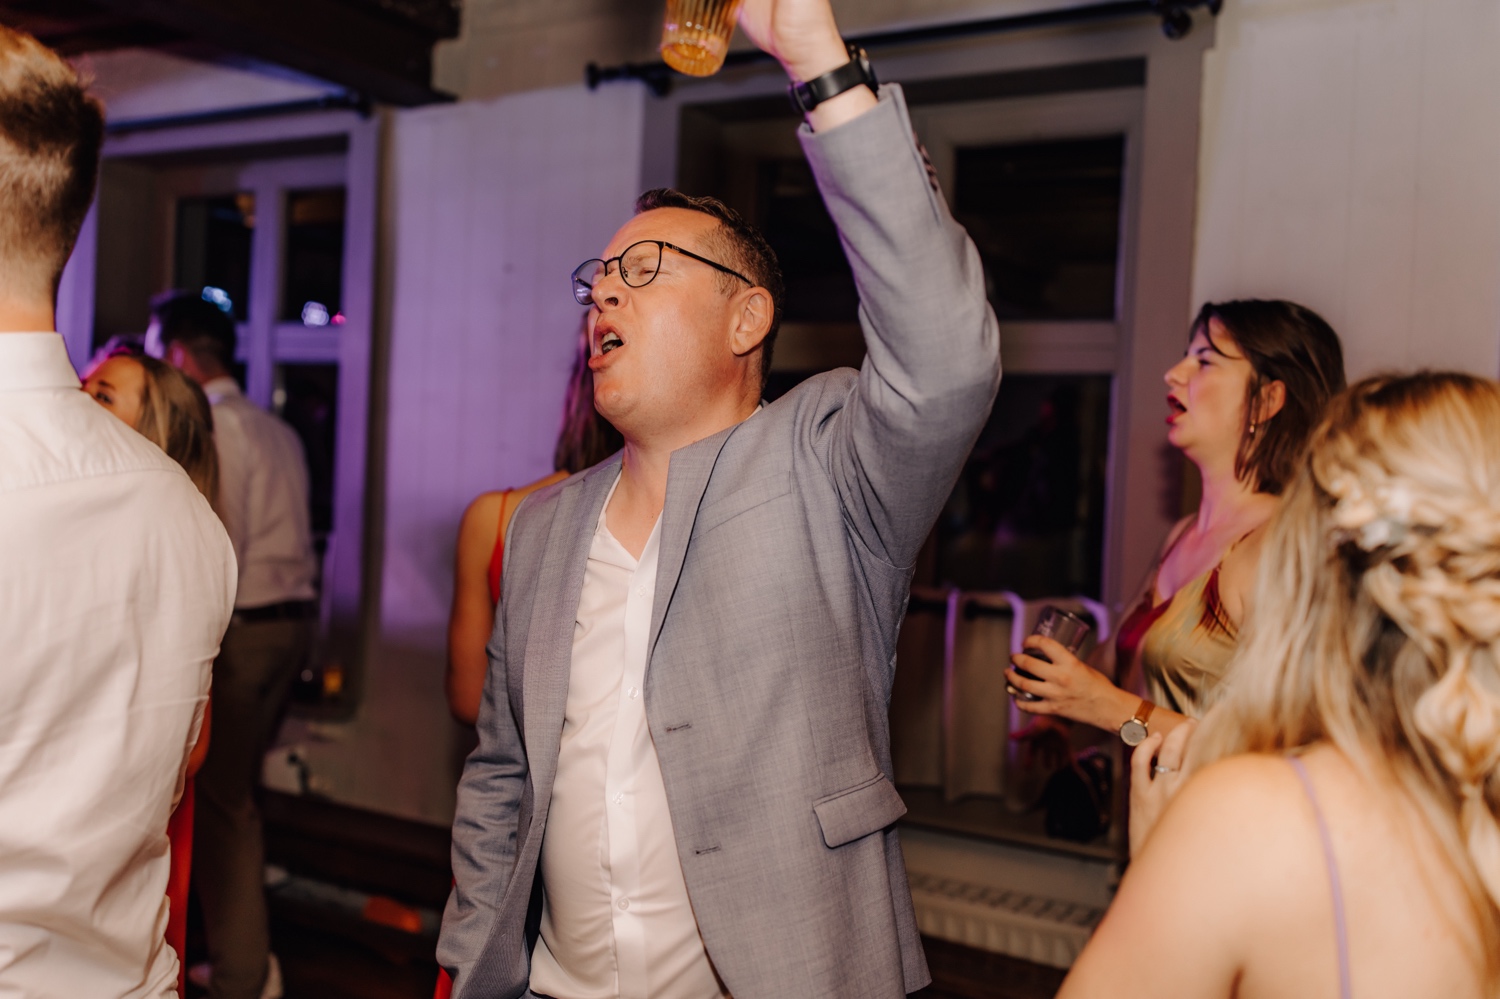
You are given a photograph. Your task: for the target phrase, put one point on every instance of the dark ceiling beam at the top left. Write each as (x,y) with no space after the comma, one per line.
(356,44)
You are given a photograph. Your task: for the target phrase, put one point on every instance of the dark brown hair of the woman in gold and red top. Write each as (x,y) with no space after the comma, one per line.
(1294,346)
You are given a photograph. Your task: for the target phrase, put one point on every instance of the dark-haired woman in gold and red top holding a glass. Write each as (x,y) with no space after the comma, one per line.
(1241,406)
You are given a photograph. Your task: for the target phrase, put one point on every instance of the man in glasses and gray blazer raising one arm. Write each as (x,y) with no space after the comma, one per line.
(683,779)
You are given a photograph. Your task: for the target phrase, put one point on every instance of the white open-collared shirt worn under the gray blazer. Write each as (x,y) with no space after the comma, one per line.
(616,917)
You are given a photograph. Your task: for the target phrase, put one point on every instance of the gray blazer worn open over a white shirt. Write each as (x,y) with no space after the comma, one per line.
(788,545)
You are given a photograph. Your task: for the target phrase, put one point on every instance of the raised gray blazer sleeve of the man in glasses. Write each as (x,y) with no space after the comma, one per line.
(932,362)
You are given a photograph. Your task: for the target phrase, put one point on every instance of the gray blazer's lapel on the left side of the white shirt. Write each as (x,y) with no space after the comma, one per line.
(550,643)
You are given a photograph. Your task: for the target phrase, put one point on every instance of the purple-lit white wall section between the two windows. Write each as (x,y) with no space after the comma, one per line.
(491,205)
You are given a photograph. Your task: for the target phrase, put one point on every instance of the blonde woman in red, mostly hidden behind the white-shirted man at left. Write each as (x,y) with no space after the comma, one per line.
(169,410)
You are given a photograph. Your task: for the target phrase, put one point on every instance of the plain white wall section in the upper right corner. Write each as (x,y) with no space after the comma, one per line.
(1349,161)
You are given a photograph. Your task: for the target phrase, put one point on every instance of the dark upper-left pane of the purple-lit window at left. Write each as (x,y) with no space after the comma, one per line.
(214,247)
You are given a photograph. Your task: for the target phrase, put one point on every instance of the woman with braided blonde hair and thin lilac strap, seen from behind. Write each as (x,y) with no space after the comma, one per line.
(1342,835)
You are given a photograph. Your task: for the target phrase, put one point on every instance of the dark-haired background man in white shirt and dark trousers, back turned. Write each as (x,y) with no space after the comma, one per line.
(263,500)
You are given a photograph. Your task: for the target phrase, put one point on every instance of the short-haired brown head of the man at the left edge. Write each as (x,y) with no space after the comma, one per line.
(50,137)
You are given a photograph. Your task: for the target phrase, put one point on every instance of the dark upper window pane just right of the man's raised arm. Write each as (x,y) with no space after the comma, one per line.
(1046,220)
